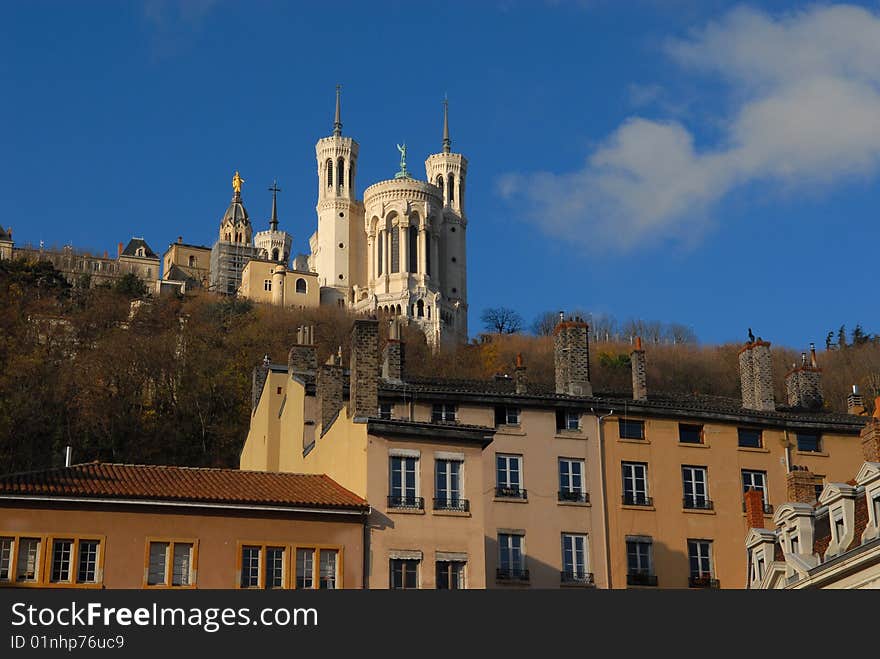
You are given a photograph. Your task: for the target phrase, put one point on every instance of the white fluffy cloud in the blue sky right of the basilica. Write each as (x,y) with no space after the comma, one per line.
(805,110)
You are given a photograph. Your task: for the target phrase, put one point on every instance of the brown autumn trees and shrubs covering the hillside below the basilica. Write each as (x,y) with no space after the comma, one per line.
(169,380)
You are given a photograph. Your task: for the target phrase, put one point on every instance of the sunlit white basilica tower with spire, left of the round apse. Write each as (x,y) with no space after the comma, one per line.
(337,245)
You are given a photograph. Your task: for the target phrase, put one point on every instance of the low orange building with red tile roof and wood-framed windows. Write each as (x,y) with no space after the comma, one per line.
(101,525)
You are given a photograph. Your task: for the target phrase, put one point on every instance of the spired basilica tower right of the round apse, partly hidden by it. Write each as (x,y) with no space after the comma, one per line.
(448,172)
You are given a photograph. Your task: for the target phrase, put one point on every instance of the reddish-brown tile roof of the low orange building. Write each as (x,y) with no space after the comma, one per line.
(183,484)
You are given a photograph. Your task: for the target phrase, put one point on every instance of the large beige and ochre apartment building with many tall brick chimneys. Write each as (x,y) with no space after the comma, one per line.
(576,488)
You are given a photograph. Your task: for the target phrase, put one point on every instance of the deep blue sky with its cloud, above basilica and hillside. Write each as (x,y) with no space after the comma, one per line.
(708,163)
